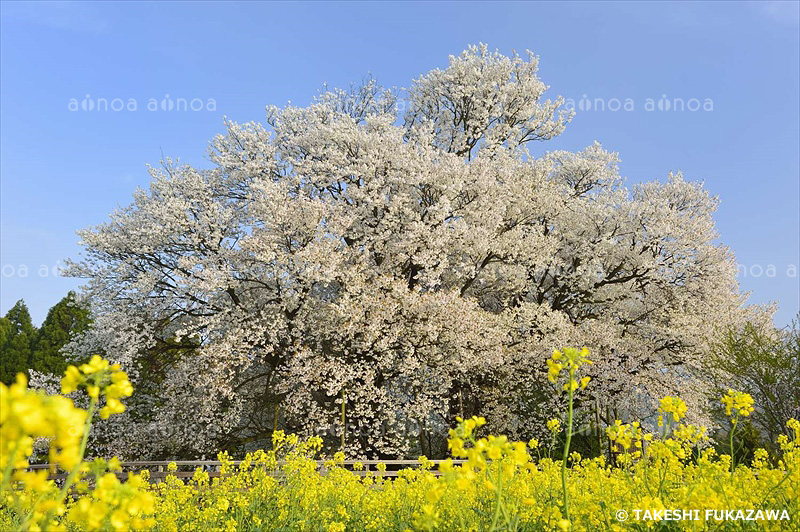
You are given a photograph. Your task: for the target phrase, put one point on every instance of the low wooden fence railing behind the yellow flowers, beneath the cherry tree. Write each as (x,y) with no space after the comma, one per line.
(187,468)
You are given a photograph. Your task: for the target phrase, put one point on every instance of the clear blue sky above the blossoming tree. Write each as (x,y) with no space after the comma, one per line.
(63,170)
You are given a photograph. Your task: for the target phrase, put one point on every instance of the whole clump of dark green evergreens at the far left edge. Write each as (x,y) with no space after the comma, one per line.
(24,347)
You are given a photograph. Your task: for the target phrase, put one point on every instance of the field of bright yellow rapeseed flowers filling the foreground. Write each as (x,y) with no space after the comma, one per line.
(664,481)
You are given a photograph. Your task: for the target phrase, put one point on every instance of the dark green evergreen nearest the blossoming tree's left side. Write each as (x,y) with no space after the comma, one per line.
(63,320)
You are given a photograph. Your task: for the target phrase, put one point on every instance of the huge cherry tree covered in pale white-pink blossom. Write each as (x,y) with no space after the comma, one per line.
(399,262)
